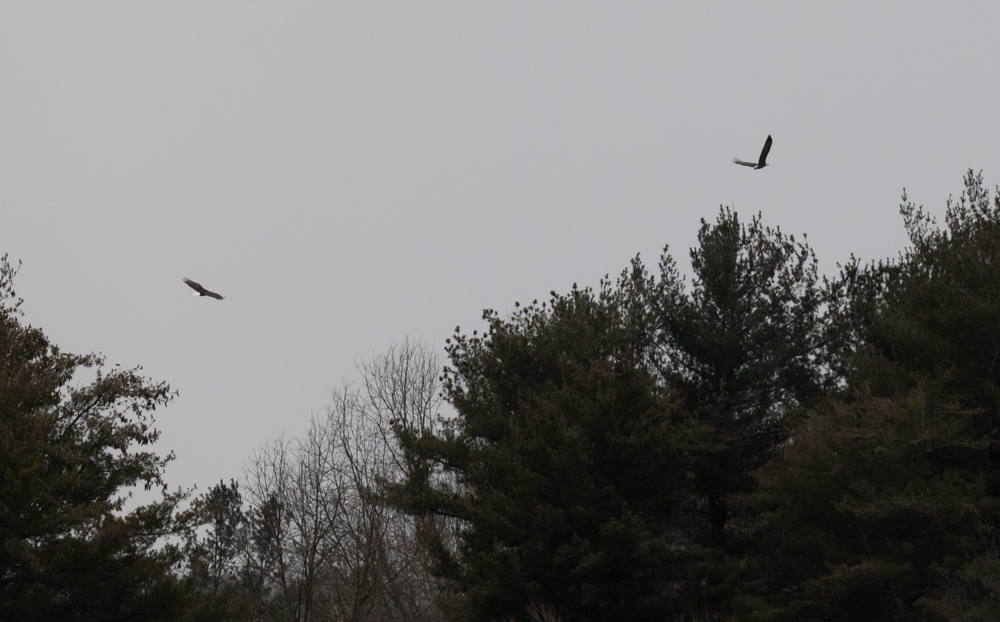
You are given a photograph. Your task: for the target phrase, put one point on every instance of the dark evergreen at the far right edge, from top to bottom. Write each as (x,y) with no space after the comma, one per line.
(884,502)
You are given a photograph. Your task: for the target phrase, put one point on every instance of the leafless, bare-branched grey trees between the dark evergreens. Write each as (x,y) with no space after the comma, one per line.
(321,543)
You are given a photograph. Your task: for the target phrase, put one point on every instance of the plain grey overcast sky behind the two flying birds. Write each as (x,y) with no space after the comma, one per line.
(350,173)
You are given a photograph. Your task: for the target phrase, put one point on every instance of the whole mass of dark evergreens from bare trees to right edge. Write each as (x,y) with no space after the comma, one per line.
(755,442)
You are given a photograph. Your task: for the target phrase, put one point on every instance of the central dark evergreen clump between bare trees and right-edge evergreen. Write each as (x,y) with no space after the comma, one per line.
(602,437)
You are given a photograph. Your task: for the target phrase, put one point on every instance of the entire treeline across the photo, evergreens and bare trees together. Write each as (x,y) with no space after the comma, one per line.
(751,441)
